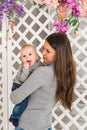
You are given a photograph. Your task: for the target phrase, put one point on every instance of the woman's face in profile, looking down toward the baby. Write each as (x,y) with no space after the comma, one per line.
(49,54)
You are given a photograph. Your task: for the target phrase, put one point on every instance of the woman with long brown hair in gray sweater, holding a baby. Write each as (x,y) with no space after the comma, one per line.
(48,84)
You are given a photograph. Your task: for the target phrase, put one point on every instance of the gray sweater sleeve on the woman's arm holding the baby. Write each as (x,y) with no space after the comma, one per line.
(35,81)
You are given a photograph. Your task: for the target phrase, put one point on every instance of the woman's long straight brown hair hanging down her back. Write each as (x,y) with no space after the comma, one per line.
(64,68)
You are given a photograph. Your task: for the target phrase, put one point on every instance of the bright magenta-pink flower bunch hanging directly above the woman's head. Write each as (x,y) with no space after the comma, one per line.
(61,26)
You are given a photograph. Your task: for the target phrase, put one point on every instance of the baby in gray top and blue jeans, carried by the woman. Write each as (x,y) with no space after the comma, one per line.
(30,62)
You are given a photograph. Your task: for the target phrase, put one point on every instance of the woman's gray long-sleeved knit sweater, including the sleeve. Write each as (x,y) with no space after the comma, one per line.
(41,85)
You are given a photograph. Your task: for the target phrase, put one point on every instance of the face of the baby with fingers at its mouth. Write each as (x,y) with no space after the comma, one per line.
(29,55)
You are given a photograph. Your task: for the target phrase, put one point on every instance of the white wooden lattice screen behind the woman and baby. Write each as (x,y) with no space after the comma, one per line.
(33,27)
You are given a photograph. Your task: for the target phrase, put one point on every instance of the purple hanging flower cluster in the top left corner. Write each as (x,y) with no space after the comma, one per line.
(11,8)
